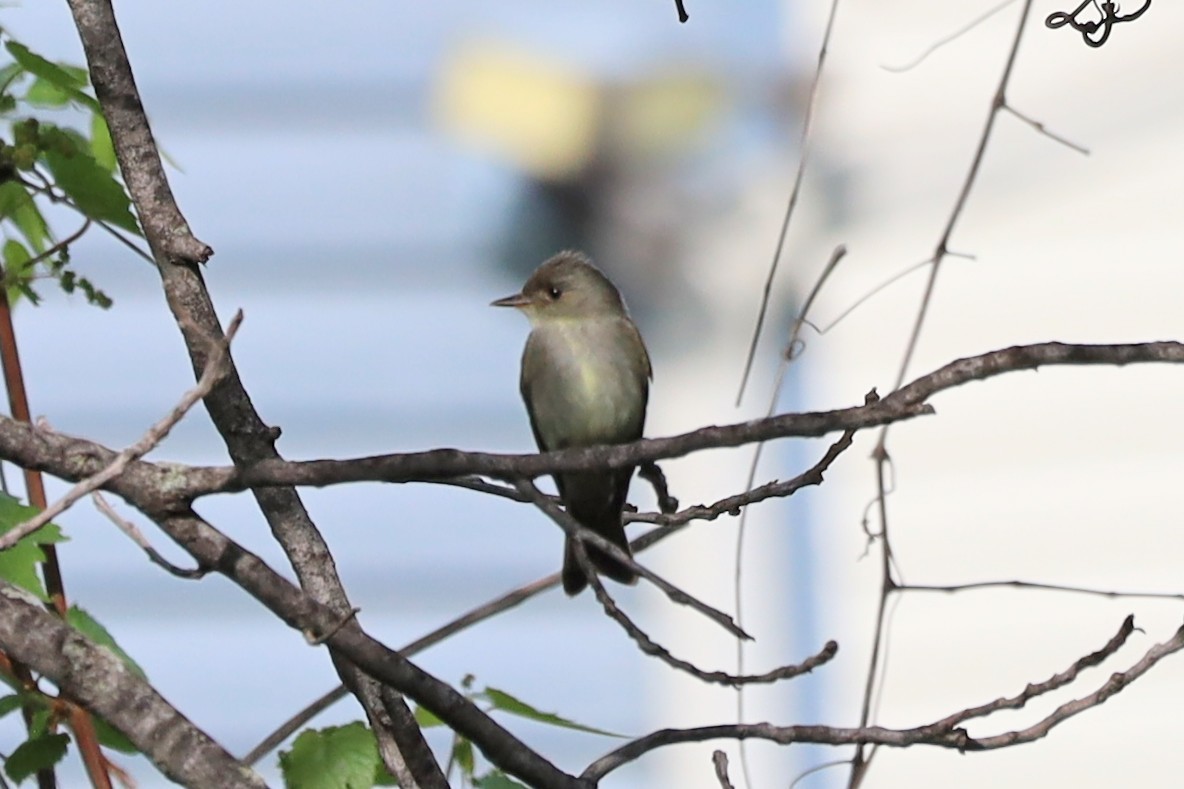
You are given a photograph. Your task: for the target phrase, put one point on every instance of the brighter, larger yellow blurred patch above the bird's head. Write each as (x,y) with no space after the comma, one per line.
(542,116)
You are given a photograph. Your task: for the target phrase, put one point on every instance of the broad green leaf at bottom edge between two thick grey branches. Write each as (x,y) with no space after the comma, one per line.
(336,758)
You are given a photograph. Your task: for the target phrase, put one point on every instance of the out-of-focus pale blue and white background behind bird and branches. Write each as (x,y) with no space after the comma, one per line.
(372,175)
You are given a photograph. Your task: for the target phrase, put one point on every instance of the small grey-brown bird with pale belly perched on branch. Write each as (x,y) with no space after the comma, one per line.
(585,382)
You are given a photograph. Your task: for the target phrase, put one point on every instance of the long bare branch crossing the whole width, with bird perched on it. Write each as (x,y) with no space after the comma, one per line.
(160,489)
